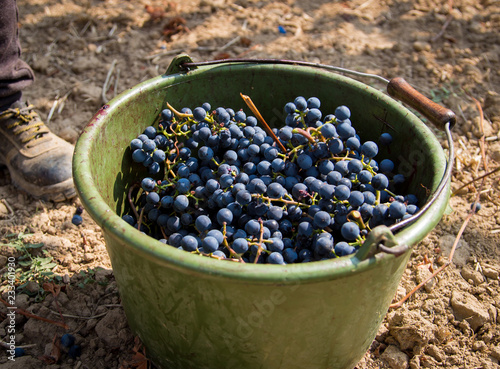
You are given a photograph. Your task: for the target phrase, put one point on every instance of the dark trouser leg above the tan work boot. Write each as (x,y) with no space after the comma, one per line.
(15,74)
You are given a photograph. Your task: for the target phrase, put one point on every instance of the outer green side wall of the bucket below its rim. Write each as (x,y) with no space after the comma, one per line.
(187,321)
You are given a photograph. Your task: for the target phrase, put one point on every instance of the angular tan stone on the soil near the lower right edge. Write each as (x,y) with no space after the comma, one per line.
(467,307)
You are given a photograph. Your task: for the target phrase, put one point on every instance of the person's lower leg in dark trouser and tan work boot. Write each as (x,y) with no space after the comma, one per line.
(39,162)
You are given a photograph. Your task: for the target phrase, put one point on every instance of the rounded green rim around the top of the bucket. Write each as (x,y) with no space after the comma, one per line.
(117,229)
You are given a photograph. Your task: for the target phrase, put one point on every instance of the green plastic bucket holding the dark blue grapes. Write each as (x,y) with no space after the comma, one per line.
(197,312)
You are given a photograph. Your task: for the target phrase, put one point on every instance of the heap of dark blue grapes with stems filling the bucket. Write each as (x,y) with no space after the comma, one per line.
(229,189)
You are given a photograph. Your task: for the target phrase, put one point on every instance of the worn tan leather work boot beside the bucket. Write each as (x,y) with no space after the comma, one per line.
(39,162)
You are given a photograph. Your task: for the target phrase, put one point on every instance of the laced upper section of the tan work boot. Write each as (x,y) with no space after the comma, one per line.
(25,124)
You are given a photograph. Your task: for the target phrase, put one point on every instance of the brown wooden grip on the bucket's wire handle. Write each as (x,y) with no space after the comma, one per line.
(438,115)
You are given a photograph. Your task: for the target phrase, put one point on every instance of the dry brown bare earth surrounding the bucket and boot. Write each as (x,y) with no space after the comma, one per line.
(84,52)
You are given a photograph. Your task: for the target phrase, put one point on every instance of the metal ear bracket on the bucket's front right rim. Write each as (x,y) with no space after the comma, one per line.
(380,239)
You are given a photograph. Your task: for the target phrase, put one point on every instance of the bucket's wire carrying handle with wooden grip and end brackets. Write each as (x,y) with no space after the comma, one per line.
(380,239)
